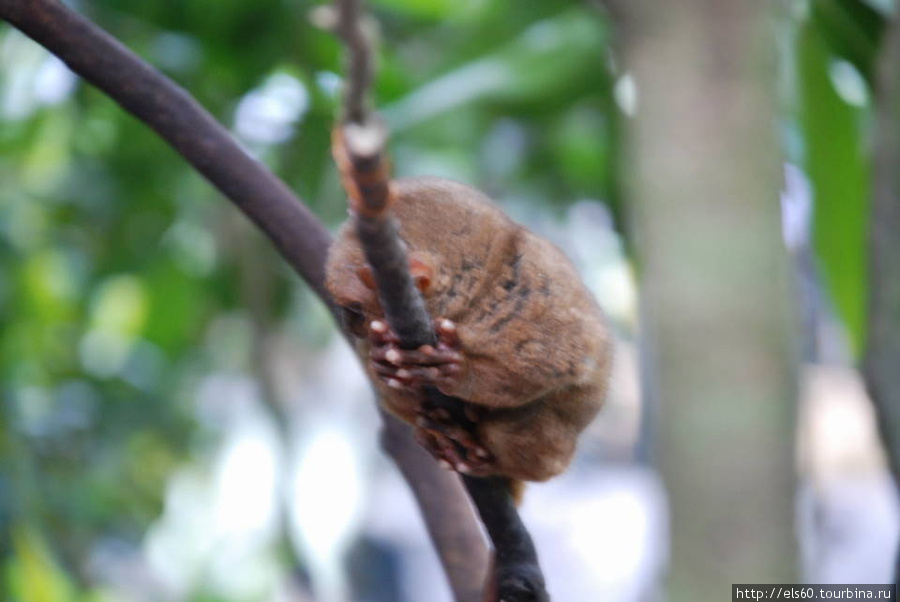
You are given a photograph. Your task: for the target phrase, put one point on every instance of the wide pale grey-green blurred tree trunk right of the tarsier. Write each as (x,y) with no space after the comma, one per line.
(717,326)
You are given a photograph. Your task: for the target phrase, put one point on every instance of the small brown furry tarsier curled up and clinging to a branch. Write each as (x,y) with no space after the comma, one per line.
(520,339)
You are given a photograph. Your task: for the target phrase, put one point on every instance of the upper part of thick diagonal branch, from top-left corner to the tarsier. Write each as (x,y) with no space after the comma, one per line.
(183,123)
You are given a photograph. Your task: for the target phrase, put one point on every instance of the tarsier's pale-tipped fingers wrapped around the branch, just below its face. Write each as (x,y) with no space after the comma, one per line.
(411,369)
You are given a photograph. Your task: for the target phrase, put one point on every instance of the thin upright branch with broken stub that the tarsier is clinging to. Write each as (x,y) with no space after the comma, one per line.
(360,151)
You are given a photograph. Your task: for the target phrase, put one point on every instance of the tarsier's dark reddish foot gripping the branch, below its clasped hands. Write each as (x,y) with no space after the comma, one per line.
(455,446)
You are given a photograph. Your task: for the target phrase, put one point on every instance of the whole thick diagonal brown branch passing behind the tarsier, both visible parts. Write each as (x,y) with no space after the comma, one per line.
(296,233)
